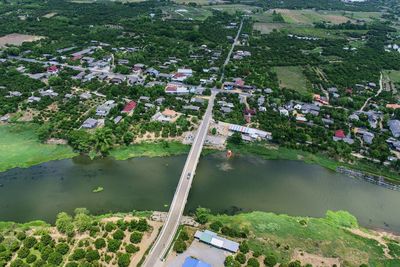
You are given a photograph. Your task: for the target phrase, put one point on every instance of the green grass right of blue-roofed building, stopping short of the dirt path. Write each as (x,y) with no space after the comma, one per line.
(282,234)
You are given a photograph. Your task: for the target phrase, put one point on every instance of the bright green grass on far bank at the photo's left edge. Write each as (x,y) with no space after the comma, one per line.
(20,147)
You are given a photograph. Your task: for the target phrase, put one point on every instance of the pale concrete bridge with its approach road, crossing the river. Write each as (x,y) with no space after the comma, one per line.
(165,238)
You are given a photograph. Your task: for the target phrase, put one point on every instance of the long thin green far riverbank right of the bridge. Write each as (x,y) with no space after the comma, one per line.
(273,152)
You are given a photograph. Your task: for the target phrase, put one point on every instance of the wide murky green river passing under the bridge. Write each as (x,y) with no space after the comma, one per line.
(223,185)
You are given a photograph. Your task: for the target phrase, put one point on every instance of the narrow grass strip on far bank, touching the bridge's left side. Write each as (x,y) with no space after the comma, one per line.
(161,149)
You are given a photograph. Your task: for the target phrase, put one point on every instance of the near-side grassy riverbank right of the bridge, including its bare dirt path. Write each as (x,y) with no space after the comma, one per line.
(337,236)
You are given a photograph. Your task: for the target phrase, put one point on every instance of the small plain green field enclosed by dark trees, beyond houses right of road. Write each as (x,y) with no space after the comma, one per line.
(292,77)
